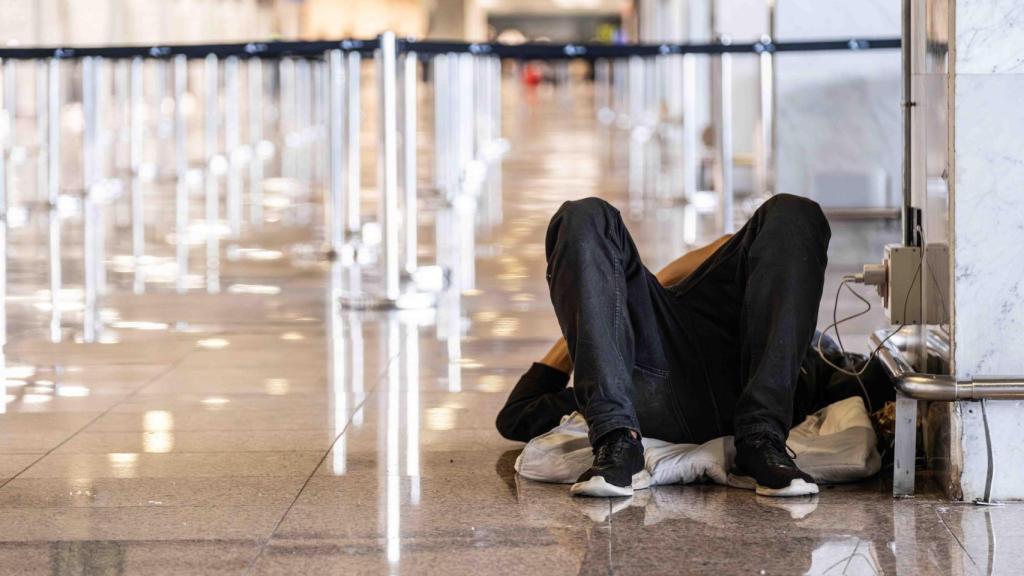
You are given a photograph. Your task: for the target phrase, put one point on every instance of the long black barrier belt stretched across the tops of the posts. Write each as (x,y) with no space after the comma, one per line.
(536,51)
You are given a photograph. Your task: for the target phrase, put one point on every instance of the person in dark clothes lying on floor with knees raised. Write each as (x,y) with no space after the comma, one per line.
(717,344)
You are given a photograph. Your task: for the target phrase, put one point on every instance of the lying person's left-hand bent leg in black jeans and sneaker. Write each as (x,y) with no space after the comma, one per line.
(610,310)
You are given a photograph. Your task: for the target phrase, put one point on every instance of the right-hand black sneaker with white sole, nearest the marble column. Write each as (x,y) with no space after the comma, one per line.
(762,461)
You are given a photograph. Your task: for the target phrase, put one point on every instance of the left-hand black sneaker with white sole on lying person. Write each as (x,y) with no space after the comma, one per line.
(619,468)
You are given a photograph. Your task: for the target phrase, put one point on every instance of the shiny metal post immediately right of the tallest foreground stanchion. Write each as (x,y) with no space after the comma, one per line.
(409,142)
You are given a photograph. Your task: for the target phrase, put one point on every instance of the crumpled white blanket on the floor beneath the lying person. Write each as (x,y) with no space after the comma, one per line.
(834,445)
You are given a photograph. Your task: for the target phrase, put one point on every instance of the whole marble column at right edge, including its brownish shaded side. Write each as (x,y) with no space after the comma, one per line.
(970,142)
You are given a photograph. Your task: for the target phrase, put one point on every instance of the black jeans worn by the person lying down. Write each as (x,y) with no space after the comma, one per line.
(715,355)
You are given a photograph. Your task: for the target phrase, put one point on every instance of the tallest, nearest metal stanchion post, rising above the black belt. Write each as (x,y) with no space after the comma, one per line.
(388,159)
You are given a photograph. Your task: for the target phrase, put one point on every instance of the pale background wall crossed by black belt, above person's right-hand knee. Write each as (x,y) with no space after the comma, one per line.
(838,112)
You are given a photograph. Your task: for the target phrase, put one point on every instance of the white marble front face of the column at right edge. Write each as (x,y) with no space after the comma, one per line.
(988,211)
